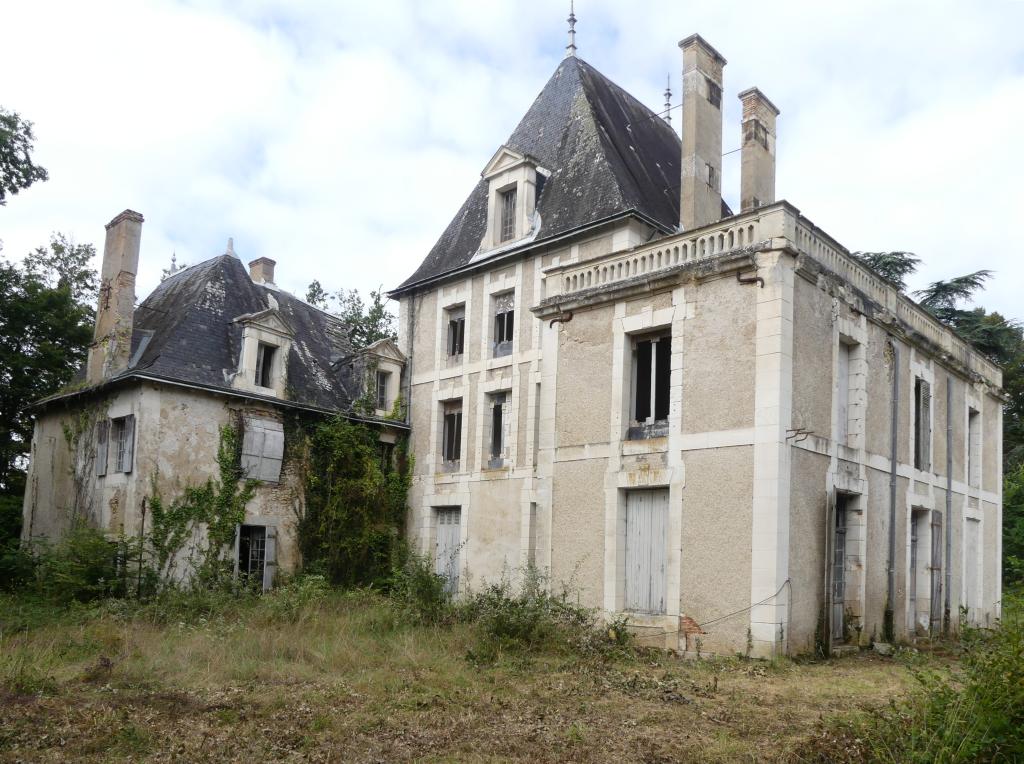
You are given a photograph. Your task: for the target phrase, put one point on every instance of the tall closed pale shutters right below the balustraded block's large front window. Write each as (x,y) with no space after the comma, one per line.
(647,528)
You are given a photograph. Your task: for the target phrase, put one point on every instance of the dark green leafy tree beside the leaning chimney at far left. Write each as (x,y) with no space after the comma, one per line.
(47,324)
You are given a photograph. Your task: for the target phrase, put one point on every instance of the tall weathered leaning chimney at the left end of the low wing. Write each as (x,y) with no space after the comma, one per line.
(111,348)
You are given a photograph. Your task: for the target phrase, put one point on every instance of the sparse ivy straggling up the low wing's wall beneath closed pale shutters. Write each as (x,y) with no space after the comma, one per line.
(219,506)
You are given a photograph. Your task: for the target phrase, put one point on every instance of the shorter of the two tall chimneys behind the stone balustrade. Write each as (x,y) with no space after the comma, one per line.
(757,176)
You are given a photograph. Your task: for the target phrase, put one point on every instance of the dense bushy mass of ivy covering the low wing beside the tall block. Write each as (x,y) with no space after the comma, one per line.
(355,510)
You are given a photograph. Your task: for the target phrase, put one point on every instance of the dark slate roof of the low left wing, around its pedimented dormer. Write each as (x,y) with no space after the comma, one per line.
(185,331)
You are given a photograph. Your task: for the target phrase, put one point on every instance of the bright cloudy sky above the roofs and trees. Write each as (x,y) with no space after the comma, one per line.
(340,138)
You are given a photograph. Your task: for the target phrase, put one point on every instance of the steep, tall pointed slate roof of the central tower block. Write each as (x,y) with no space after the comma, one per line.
(609,155)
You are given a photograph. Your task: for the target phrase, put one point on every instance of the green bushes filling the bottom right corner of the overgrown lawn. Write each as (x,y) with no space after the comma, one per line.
(973,714)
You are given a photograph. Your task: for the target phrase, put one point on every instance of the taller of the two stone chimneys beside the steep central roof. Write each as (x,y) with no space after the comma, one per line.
(701,190)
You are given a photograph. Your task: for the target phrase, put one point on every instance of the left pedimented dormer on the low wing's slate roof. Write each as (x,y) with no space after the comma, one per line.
(267,342)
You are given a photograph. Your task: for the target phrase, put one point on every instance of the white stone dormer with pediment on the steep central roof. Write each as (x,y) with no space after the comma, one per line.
(513,190)
